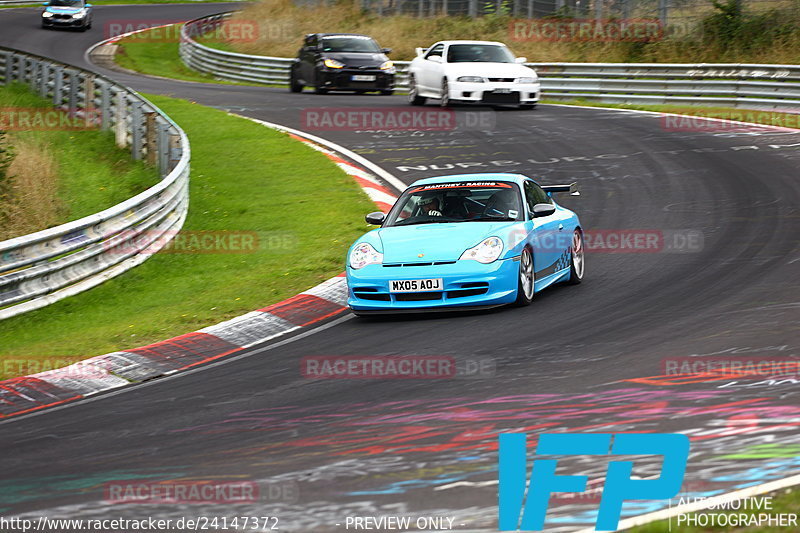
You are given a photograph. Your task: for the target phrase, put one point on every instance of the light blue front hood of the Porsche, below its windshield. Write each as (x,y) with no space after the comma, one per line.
(437,242)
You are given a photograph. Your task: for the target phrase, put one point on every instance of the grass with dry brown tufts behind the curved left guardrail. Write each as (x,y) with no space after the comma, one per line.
(61,175)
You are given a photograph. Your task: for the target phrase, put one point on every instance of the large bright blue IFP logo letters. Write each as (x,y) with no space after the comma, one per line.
(618,486)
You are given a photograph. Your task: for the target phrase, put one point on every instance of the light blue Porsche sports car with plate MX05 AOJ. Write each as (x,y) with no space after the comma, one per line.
(465,241)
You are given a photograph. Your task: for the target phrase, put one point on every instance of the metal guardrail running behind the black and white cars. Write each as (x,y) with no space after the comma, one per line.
(729,85)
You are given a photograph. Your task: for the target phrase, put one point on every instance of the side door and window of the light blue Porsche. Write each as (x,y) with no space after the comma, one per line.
(549,240)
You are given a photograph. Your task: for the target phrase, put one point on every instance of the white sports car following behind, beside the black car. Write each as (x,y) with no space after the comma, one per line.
(472,71)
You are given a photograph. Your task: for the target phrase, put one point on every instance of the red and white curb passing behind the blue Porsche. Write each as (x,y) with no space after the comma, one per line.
(26,394)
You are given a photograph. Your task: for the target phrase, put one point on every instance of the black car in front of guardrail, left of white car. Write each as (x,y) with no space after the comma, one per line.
(342,61)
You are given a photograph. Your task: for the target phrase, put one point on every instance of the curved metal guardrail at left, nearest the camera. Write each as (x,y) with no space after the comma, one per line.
(43,267)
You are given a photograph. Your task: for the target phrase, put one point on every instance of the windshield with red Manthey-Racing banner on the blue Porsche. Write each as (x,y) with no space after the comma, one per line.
(456,202)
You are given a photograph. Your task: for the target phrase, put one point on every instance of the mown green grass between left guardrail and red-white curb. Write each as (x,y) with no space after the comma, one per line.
(245,178)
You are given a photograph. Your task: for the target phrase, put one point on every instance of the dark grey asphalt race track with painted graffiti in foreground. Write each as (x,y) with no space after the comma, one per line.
(583,358)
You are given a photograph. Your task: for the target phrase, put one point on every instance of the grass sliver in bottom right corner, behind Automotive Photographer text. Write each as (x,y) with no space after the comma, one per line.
(785,502)
